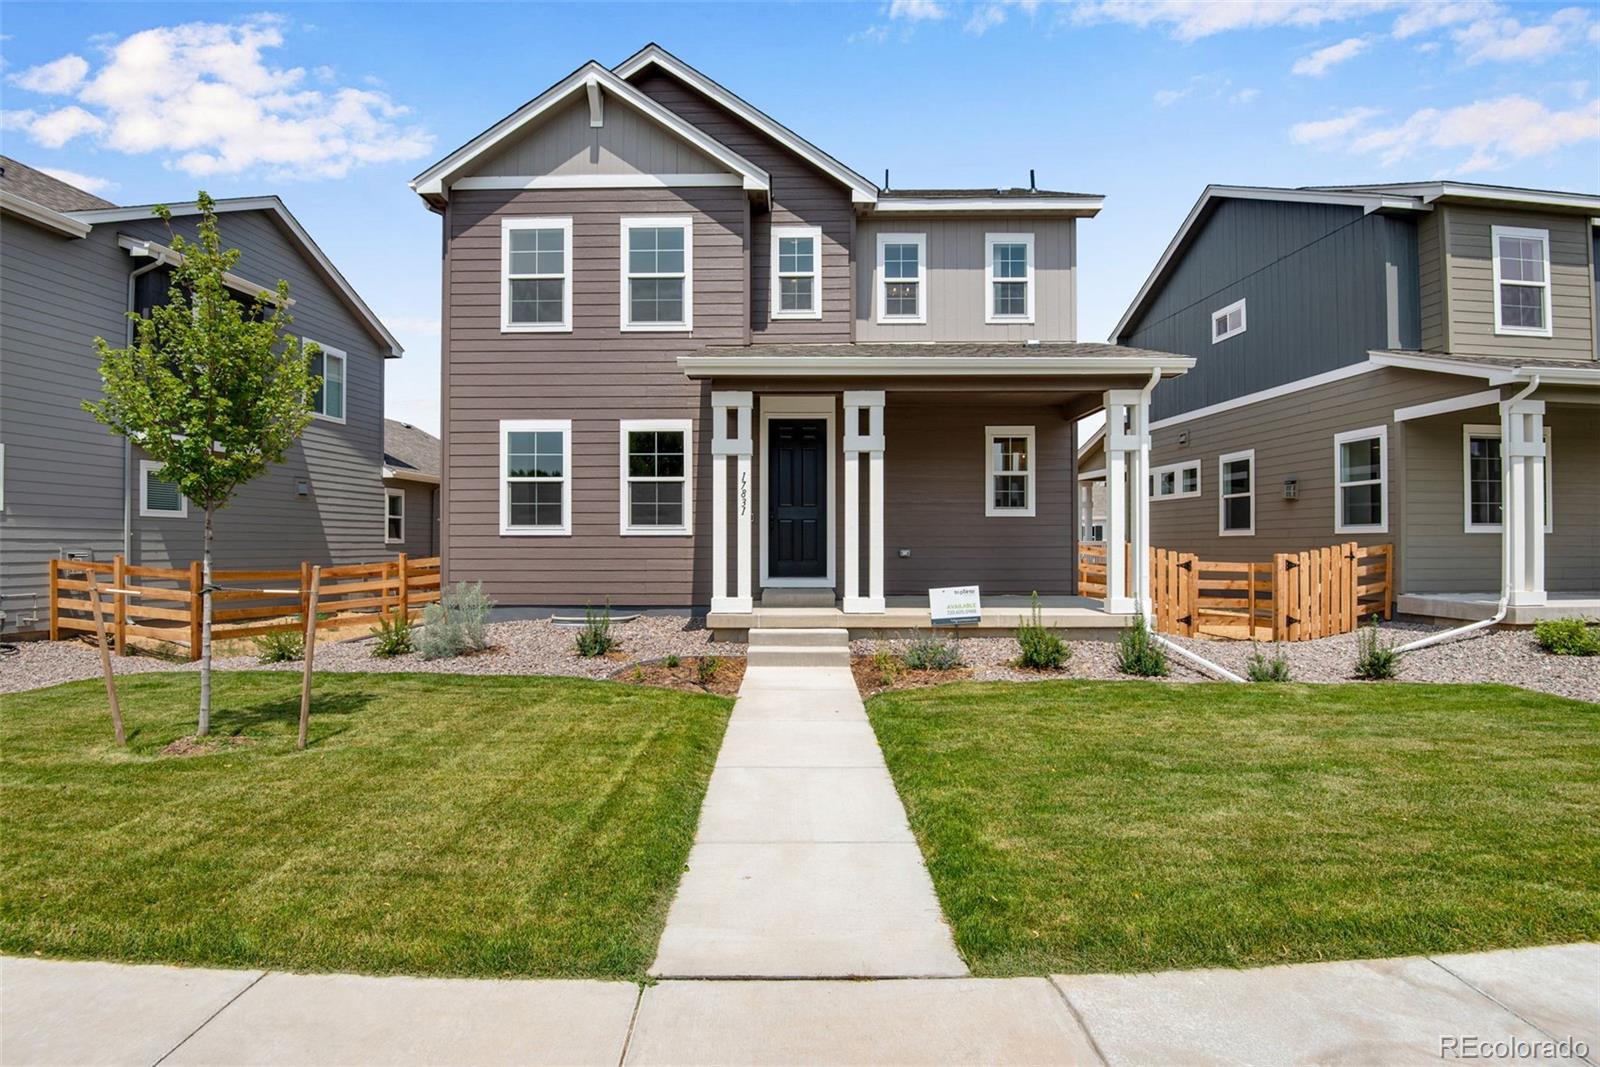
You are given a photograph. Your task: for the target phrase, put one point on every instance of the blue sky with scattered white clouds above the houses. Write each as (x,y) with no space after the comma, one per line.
(337,106)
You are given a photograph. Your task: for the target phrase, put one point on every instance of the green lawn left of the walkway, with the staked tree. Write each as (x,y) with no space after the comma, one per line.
(434,826)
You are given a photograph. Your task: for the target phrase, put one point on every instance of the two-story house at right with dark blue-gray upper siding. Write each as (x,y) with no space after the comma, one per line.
(1386,364)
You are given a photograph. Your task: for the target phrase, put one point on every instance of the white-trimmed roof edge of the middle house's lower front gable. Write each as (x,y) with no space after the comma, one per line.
(433,185)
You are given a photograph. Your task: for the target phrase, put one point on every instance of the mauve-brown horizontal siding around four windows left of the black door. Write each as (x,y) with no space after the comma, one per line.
(596,377)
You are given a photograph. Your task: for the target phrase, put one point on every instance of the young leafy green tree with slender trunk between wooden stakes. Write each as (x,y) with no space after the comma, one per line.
(214,388)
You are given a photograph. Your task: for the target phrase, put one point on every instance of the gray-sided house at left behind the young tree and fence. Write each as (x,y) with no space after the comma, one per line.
(73,268)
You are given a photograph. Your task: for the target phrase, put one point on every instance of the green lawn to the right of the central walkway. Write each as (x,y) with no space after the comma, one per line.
(1134,826)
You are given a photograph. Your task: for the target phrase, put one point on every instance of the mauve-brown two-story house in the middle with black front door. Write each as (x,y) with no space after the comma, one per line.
(692,359)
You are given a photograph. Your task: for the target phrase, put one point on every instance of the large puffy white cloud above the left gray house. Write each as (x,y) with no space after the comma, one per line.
(204,95)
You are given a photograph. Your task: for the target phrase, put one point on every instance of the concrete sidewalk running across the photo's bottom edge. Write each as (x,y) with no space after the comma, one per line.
(1518,1005)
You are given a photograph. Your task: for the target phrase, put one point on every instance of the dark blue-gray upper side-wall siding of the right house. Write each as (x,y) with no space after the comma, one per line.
(1318,282)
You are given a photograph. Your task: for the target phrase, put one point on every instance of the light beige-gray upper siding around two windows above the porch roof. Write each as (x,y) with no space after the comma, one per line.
(956,281)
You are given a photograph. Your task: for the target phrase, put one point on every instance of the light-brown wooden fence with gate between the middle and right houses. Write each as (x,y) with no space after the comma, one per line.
(1297,597)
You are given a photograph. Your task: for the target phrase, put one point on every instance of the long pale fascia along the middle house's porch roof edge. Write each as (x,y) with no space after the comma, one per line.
(924,366)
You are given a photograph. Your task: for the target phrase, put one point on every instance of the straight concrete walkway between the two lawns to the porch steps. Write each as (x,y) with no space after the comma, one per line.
(804,865)
